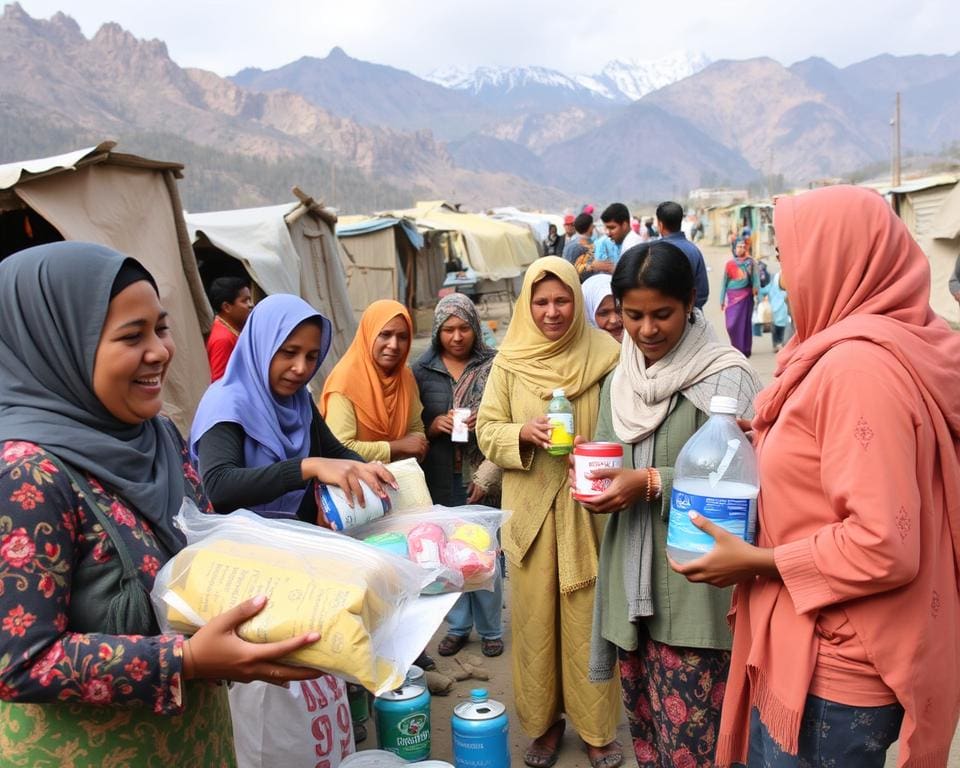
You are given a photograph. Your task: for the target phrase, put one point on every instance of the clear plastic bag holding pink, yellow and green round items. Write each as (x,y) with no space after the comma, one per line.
(458,544)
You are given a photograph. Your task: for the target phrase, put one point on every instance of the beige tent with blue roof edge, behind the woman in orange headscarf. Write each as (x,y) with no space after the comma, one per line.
(389,257)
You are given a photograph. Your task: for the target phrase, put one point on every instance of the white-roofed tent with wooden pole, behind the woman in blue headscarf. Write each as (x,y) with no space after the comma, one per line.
(285,249)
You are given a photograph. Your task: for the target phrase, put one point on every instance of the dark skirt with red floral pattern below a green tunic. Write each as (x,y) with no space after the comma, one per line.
(673,698)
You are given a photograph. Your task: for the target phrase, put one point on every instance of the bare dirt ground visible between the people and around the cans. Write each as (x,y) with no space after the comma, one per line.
(500,685)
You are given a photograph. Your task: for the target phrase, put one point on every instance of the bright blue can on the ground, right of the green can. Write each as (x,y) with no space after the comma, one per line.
(481,733)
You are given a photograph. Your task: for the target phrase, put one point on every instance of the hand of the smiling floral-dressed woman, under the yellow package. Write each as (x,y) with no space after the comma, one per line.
(217,652)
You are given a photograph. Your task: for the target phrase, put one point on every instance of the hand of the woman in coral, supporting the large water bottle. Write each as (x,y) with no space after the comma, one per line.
(731,560)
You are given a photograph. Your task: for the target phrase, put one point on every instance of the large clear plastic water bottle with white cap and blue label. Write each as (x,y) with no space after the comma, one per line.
(716,476)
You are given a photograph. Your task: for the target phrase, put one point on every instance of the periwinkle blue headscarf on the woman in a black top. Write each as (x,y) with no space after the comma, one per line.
(277,428)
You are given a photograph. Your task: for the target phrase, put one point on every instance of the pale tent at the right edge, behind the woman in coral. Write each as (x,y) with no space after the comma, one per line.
(930,207)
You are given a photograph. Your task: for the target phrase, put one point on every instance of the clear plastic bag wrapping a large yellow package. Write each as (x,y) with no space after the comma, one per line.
(316,580)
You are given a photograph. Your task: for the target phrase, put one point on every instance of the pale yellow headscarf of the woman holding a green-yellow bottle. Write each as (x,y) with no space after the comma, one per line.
(574,362)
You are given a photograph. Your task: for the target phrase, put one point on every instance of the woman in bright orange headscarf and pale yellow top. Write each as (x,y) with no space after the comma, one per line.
(370,400)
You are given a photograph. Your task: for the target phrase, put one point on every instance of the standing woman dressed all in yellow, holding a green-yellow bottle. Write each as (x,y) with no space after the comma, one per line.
(551,541)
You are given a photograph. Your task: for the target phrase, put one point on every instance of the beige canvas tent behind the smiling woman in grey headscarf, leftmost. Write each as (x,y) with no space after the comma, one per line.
(131,204)
